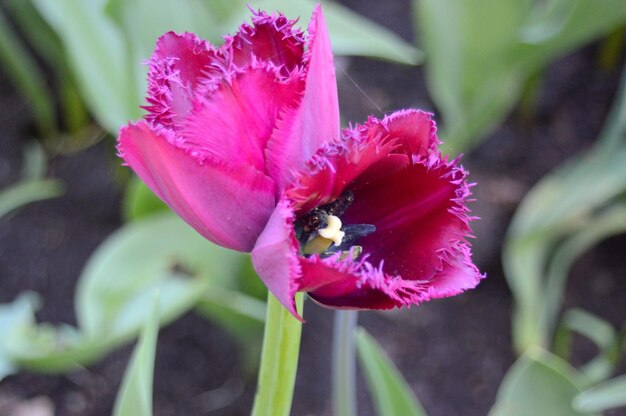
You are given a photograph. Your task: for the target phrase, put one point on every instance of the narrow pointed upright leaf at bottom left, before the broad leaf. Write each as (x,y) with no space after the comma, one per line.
(135,396)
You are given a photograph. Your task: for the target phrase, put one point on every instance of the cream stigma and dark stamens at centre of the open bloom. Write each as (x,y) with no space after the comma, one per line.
(321,231)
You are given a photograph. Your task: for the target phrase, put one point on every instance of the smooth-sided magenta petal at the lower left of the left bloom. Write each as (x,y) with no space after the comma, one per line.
(227,204)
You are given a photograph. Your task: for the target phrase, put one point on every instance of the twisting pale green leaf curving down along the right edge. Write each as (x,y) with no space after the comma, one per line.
(560,218)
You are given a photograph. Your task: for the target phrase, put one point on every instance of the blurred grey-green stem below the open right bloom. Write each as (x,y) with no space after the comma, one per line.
(344,374)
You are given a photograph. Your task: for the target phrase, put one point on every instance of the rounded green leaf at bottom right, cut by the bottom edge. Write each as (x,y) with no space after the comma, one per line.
(539,383)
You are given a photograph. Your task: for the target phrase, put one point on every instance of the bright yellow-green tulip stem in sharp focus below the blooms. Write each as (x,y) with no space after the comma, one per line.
(279,360)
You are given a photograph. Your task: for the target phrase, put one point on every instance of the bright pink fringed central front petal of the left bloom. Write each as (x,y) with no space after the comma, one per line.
(235,121)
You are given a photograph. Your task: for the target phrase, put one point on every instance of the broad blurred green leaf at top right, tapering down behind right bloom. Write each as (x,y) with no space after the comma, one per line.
(476,72)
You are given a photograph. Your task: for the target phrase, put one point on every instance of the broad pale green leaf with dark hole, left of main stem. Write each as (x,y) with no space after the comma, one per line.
(161,251)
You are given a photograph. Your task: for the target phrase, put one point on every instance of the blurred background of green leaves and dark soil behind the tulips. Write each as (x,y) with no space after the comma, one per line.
(530,92)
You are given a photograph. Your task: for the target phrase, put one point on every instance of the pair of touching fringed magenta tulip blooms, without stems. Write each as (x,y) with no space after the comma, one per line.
(243,142)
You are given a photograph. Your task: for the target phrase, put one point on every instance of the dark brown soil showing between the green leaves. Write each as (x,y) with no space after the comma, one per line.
(453,352)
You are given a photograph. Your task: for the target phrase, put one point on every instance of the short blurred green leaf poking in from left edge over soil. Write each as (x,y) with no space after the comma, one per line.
(25,192)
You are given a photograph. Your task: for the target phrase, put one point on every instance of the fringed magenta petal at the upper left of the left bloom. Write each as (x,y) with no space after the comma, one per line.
(177,67)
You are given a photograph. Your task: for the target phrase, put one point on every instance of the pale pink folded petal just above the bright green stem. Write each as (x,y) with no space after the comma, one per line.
(275,257)
